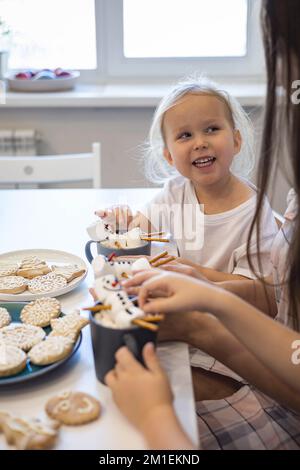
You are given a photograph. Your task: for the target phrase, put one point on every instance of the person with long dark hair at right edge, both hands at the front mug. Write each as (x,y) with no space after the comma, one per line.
(265,412)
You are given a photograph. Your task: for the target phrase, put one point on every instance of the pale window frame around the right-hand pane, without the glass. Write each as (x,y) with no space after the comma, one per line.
(117,66)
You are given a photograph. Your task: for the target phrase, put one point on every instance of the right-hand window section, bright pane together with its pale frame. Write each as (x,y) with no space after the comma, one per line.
(156,38)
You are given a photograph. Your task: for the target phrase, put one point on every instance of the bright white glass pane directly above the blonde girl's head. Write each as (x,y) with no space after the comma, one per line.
(193,28)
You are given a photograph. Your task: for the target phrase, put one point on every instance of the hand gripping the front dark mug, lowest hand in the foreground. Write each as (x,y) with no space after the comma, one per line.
(139,392)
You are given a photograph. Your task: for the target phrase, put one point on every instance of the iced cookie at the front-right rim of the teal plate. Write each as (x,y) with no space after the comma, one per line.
(51,350)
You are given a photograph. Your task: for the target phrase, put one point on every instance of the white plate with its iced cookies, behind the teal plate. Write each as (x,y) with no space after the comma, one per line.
(30,274)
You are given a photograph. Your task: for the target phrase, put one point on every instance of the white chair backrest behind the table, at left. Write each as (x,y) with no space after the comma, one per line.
(52,168)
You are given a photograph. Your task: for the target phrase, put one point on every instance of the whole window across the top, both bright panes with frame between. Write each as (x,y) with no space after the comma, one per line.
(119,39)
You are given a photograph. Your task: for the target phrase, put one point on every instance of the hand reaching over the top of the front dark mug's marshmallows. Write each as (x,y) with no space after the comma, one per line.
(178,293)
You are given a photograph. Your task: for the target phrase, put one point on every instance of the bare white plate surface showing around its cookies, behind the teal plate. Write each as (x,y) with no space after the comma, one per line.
(51,257)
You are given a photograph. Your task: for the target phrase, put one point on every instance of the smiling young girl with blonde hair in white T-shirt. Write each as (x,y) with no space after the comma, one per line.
(200,140)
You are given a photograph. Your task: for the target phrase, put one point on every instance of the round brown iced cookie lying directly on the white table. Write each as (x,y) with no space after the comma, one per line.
(73,408)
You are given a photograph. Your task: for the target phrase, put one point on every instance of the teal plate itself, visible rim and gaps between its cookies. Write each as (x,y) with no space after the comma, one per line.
(31,371)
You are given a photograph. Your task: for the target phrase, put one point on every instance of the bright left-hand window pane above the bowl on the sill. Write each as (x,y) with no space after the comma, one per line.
(52,33)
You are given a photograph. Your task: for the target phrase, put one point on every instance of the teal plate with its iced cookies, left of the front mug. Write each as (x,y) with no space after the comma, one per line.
(35,338)
